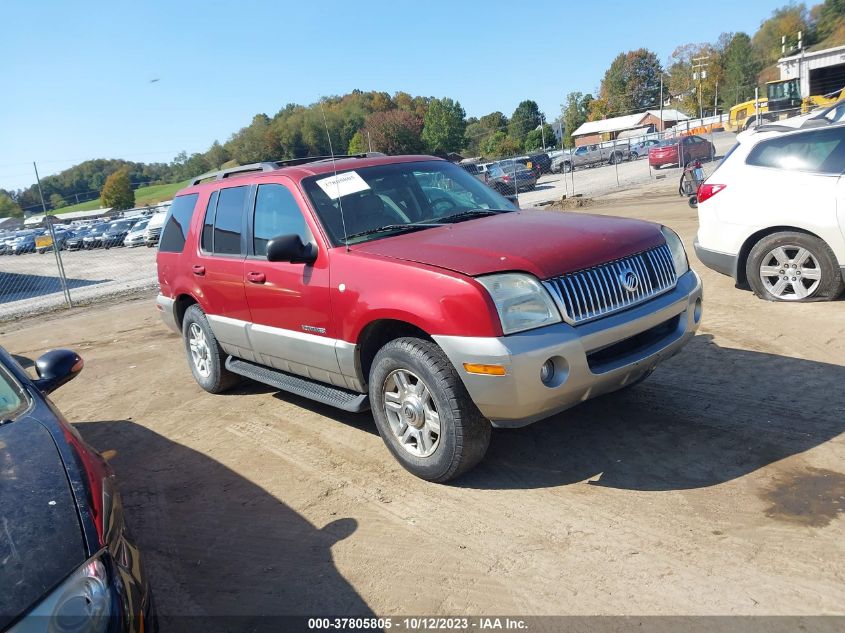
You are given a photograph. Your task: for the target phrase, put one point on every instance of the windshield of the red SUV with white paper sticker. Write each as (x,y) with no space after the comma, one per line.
(387,199)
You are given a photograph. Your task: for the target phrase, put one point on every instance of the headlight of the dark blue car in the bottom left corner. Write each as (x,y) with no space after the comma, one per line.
(81,604)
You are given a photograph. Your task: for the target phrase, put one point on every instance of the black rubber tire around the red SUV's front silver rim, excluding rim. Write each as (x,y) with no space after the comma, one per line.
(464,432)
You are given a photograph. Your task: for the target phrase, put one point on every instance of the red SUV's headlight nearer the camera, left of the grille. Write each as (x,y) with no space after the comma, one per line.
(521,300)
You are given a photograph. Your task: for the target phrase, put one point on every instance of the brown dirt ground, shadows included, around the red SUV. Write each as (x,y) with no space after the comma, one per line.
(716,487)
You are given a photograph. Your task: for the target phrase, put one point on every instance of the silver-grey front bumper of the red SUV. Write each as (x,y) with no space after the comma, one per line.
(591,359)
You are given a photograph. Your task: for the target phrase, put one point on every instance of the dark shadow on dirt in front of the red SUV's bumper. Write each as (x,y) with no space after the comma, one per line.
(705,417)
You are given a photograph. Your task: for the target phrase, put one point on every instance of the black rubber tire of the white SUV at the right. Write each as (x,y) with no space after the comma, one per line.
(830,284)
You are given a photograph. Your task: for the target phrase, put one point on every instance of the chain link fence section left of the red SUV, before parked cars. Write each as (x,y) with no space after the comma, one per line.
(45,267)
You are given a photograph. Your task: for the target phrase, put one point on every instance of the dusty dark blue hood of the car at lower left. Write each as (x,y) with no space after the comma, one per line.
(40,535)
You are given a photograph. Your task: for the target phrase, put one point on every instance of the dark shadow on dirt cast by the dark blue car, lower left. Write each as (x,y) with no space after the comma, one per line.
(221,552)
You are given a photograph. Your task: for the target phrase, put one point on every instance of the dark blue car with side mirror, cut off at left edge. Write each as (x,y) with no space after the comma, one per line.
(66,560)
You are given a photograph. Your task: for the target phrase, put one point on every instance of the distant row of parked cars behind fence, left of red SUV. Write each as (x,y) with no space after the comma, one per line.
(129,232)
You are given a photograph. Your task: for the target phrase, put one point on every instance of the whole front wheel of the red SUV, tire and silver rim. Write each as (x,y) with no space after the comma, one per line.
(423,411)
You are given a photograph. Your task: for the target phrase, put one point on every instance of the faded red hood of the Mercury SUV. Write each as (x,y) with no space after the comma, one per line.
(543,243)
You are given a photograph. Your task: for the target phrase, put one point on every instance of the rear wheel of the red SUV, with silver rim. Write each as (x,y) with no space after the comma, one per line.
(205,356)
